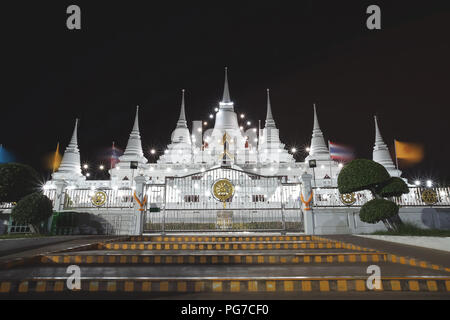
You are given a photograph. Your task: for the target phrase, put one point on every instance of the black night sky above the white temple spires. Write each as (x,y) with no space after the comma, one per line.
(129,54)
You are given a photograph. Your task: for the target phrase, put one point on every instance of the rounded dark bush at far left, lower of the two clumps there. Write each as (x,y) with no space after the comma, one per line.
(33,209)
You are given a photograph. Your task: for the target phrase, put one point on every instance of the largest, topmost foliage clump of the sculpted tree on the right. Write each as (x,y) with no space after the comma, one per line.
(361,174)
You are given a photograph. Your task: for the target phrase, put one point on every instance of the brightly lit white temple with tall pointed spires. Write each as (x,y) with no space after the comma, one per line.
(265,180)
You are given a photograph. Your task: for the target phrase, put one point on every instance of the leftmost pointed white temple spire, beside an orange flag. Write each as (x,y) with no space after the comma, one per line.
(70,167)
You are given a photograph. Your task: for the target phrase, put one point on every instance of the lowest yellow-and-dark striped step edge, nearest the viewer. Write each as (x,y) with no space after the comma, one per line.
(344,284)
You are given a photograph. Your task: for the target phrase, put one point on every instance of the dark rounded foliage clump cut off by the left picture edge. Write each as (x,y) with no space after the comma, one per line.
(16,181)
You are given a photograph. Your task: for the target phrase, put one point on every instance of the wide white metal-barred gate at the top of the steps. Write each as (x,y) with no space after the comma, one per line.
(258,203)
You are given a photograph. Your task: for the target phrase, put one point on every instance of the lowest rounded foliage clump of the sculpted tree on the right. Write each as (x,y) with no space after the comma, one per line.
(378,210)
